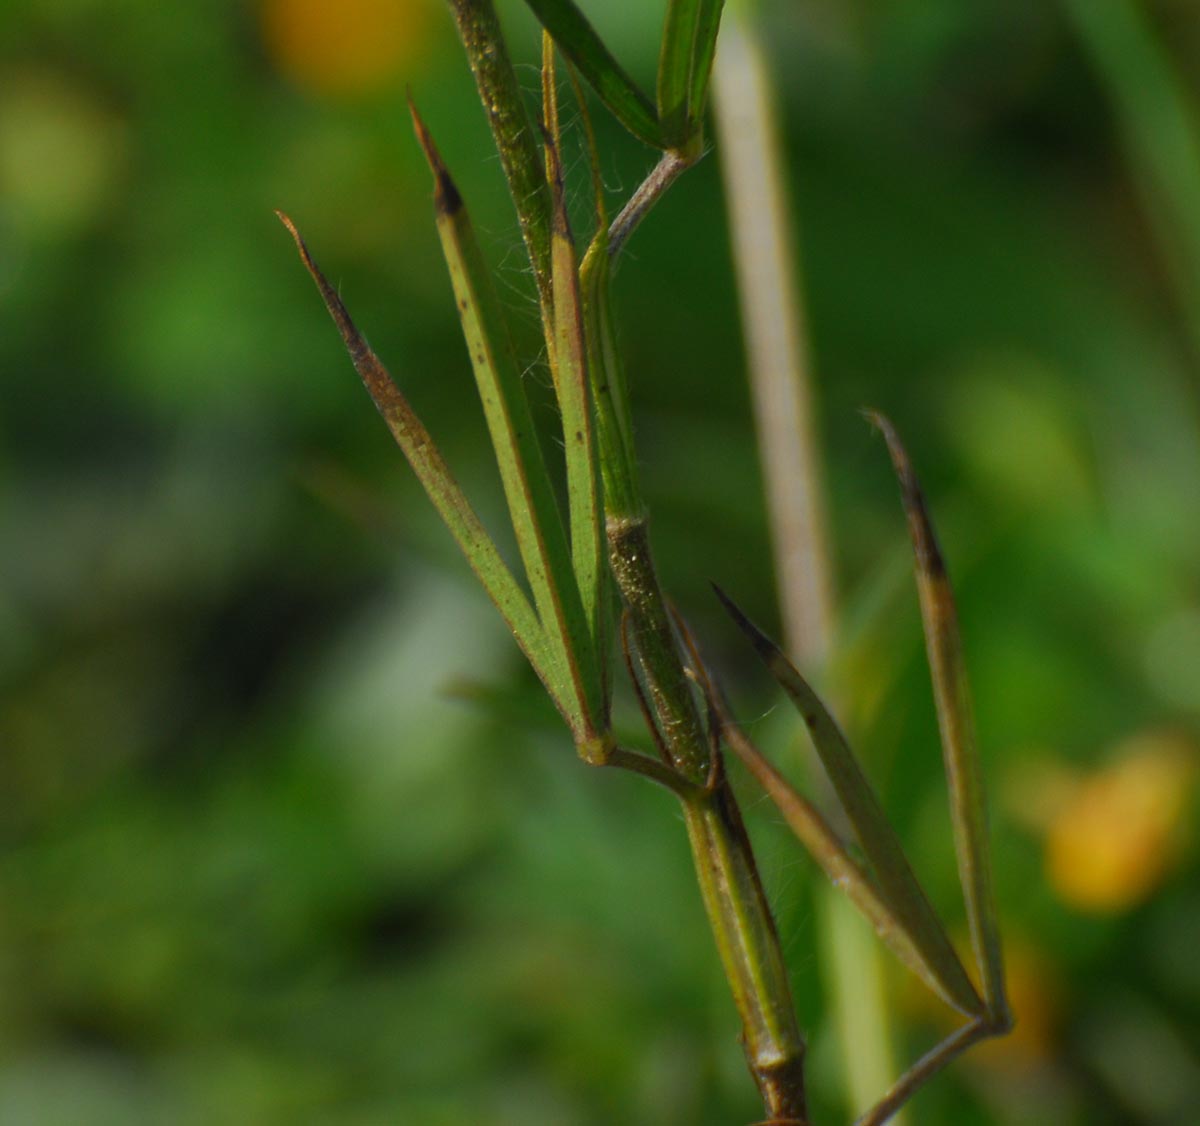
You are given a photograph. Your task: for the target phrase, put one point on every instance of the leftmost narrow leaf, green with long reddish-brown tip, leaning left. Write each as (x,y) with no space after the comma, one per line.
(437,481)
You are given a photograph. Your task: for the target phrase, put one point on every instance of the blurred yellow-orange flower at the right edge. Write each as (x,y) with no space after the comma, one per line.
(1114,838)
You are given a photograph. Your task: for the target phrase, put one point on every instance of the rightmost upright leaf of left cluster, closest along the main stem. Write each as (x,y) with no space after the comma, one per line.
(584,486)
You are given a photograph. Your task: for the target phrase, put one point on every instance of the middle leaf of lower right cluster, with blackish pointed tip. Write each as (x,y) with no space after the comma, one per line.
(897,883)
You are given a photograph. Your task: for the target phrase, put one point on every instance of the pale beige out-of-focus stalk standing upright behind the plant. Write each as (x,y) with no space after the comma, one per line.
(779,364)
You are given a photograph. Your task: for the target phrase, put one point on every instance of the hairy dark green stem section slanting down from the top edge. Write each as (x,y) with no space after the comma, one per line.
(517,140)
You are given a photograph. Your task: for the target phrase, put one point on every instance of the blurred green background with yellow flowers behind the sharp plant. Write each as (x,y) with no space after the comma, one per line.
(289,834)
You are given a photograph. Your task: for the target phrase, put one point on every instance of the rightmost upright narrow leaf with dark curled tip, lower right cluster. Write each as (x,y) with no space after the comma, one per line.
(955,720)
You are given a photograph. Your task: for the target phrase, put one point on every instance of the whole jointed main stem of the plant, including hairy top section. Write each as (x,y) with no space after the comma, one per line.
(729,879)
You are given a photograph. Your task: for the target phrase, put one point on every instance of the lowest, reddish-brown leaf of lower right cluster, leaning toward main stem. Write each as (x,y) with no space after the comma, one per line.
(824,844)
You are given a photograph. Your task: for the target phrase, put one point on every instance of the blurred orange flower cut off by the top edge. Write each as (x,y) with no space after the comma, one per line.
(350,47)
